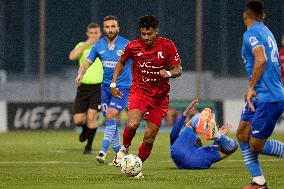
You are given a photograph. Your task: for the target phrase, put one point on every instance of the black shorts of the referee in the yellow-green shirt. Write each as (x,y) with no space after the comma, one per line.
(88,97)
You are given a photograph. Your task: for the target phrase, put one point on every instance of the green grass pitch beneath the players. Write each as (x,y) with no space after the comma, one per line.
(54,160)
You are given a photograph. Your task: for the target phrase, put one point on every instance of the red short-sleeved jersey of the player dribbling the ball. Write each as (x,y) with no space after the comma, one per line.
(147,63)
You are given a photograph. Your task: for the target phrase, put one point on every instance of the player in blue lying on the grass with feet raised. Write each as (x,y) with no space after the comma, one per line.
(186,150)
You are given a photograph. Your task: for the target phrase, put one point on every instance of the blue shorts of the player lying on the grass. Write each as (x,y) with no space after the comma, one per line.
(187,155)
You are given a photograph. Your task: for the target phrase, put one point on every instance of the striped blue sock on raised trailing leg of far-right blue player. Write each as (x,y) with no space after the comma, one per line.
(273,148)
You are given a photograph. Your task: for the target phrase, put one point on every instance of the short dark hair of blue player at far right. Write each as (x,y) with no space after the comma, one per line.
(255,9)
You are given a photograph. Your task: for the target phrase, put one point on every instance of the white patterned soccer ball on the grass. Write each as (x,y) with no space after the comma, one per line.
(131,165)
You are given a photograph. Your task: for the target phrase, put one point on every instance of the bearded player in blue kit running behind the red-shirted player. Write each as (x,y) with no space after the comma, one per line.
(109,49)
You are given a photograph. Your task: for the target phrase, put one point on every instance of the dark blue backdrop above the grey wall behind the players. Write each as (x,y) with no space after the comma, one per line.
(66,20)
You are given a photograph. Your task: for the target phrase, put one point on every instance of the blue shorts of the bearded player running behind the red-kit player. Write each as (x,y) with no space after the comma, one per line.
(107,100)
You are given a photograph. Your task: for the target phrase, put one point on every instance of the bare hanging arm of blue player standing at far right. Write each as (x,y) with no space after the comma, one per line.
(259,65)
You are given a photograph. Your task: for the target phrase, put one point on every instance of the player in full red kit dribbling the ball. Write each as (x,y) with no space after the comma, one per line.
(155,60)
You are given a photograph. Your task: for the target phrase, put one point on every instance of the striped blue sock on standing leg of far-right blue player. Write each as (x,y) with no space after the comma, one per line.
(250,159)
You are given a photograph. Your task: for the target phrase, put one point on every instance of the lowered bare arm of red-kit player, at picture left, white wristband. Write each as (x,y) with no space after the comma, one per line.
(117,70)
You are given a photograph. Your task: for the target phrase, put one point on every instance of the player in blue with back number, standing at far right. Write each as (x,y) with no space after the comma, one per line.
(264,96)
